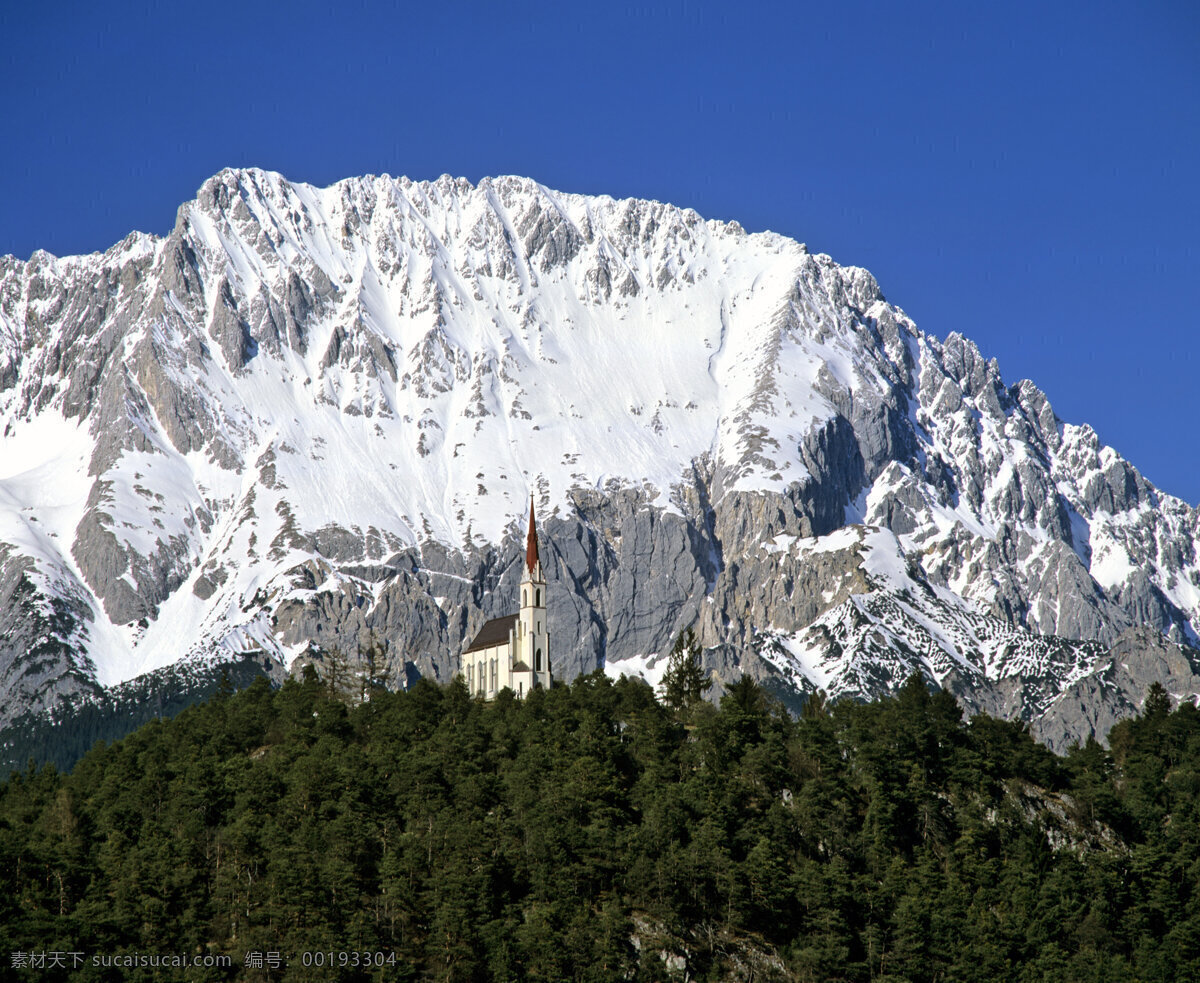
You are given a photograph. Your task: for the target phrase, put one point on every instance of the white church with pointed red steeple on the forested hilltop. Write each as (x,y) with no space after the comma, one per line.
(514,651)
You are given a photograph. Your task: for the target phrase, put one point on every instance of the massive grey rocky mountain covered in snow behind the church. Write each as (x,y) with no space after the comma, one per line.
(309,416)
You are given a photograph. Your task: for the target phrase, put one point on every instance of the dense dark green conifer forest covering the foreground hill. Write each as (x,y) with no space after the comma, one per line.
(592,834)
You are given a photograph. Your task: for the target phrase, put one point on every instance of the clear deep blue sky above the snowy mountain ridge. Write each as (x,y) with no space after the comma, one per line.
(1024,173)
